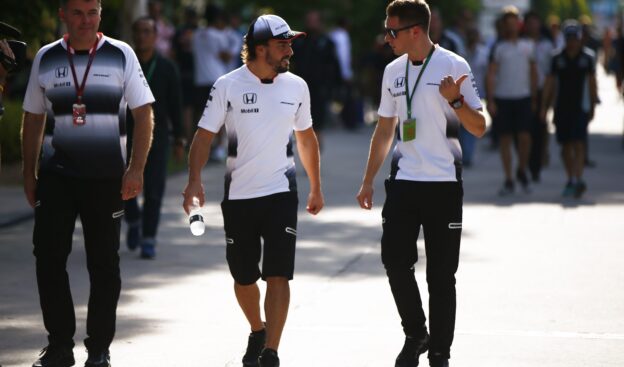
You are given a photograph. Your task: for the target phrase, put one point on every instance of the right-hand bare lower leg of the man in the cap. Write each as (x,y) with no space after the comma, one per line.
(276,309)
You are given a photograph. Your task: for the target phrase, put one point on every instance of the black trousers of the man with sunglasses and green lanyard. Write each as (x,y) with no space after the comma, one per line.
(437,206)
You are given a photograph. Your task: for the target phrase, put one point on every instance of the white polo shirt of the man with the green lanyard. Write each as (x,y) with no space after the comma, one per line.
(435,153)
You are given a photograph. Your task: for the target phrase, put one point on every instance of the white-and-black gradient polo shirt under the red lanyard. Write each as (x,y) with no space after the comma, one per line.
(96,149)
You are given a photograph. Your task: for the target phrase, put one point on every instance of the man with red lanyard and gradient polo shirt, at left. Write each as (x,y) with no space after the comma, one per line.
(75,106)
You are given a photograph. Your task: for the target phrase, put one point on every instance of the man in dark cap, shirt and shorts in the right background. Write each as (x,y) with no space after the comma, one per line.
(571,84)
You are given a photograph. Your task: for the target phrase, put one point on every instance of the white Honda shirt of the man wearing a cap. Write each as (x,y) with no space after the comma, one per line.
(259,119)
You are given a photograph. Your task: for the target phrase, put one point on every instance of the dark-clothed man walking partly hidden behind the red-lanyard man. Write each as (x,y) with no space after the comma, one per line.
(164,81)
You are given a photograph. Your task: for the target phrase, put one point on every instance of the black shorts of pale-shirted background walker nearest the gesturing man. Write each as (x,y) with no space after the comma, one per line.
(513,115)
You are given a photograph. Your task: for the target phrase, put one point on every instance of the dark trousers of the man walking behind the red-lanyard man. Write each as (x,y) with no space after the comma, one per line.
(154,179)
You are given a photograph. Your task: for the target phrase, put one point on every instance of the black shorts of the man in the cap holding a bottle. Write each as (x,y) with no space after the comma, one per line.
(272,218)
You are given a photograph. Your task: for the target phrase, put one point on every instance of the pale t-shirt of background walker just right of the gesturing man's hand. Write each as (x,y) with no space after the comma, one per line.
(513,76)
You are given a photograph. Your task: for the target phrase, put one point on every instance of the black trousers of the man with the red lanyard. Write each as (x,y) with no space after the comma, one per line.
(60,200)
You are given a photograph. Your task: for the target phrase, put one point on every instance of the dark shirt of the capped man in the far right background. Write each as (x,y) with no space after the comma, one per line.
(572,76)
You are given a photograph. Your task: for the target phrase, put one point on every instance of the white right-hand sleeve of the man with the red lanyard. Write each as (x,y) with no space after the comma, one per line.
(136,89)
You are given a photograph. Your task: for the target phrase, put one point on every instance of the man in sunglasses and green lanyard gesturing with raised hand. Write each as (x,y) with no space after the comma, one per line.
(426,95)
